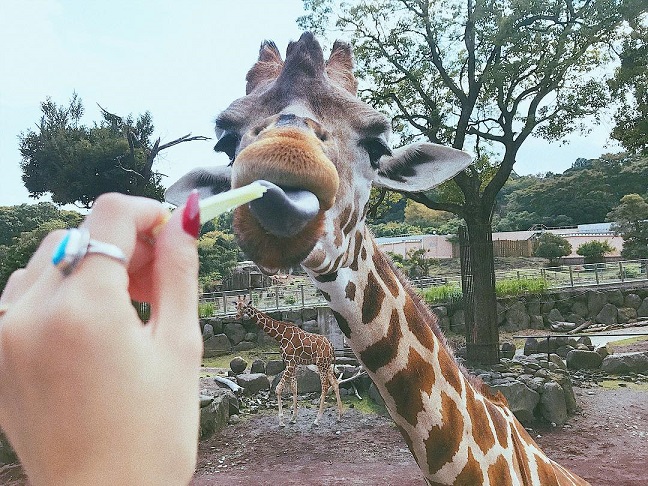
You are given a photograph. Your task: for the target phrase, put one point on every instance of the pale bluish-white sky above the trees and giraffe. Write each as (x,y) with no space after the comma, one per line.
(182,61)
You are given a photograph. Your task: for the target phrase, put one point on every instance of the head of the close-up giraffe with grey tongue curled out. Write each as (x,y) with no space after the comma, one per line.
(302,129)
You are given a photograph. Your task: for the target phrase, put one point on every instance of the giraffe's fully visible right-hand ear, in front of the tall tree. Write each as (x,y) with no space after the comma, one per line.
(419,167)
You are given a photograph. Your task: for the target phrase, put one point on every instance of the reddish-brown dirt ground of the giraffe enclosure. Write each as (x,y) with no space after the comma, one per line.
(606,442)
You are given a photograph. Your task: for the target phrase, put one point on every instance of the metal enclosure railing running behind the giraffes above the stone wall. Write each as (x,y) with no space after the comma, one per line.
(300,296)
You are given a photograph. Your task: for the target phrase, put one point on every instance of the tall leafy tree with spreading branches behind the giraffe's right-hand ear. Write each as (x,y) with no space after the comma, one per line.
(483,75)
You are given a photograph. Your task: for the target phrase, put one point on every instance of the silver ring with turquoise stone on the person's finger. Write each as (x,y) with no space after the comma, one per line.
(76,245)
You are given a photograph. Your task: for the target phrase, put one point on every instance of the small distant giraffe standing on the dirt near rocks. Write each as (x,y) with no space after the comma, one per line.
(297,347)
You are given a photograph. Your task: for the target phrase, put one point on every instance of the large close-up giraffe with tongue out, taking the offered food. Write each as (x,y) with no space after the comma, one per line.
(301,128)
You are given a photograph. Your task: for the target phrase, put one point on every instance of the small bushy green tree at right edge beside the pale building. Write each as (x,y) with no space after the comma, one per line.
(631,222)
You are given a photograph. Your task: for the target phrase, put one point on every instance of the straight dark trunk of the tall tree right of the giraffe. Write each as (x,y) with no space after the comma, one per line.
(480,303)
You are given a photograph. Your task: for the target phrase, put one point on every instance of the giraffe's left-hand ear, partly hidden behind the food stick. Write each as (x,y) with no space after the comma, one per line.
(208,181)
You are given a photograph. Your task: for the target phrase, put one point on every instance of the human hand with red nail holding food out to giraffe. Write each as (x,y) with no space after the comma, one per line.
(89,394)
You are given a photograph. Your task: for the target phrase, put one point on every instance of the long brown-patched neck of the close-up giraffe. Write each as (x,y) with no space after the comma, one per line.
(457,432)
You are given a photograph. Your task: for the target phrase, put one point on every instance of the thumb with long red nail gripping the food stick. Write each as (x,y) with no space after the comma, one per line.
(175,271)
